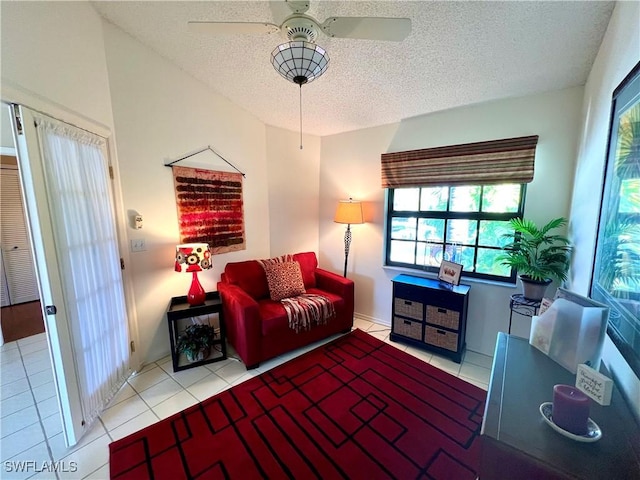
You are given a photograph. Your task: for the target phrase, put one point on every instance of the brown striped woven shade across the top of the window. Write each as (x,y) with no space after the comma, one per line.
(498,161)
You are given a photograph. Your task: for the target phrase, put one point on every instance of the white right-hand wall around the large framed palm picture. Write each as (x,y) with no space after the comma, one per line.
(619,52)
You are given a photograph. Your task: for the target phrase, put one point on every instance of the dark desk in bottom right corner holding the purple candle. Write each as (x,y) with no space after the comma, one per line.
(517,443)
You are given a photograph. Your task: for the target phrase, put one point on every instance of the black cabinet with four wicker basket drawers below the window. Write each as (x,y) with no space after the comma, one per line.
(429,315)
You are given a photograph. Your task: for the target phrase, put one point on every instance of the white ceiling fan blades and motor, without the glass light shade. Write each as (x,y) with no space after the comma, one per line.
(299,26)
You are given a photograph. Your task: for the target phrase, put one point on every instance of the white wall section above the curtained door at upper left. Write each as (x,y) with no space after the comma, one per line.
(55,51)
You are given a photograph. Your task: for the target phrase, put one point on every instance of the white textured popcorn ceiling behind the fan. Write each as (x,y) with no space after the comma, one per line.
(458,53)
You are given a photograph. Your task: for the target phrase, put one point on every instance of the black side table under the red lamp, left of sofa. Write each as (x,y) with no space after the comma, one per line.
(178,310)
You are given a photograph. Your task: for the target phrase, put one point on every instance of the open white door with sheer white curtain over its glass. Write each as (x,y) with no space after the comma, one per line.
(67,179)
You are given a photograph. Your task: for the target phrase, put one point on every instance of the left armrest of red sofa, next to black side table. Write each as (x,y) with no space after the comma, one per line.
(242,322)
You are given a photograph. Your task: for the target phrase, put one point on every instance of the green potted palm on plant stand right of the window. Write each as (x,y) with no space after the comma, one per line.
(538,256)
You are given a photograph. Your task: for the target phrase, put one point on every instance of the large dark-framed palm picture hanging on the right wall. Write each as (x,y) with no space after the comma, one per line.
(616,274)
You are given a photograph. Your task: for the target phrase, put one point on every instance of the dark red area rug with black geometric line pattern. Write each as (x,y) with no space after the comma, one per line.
(355,408)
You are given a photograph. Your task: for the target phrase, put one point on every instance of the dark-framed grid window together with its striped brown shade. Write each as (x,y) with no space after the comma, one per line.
(454,203)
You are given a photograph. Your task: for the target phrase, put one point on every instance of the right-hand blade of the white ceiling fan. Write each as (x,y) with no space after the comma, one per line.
(368,28)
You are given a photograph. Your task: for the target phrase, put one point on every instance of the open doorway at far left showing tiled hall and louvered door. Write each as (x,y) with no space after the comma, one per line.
(28,390)
